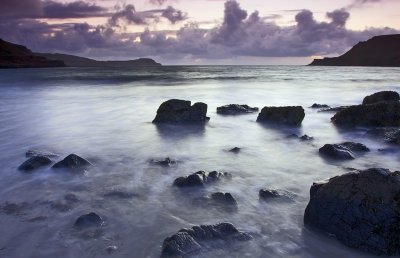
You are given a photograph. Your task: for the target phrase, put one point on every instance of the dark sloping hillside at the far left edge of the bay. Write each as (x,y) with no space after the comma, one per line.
(17,56)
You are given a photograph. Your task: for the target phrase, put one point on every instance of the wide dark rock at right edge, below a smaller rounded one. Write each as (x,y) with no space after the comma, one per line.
(378,114)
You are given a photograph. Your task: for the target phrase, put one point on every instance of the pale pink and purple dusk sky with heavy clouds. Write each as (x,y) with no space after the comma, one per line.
(198,32)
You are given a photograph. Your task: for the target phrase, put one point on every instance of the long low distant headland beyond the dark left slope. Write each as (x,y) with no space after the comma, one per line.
(77,61)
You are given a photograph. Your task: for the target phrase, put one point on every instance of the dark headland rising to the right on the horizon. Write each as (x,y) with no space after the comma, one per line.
(377,51)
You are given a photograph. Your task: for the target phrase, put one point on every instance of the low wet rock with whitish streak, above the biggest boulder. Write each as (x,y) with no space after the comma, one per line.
(342,151)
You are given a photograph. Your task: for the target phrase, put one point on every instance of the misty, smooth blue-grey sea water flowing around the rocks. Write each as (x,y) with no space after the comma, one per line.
(105,115)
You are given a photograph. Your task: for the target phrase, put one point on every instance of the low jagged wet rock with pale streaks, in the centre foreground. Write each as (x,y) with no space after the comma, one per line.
(201,178)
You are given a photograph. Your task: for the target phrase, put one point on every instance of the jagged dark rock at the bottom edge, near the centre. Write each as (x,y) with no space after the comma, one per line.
(198,239)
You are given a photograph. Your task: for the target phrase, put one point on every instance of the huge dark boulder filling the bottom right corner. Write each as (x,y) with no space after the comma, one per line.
(360,208)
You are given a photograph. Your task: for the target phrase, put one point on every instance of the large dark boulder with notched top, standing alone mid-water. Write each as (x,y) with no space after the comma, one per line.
(175,111)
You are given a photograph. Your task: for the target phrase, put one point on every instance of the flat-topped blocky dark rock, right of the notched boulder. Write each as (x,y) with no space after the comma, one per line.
(290,116)
